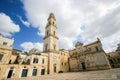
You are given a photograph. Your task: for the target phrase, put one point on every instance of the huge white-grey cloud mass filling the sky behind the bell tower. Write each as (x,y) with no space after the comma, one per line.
(101,19)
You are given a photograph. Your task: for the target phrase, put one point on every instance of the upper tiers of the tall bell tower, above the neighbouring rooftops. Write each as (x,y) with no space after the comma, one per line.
(51,36)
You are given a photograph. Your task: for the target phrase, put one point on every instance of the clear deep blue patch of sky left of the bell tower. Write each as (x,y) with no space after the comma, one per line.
(13,9)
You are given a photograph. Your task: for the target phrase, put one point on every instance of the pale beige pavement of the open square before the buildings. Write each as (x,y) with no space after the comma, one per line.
(113,74)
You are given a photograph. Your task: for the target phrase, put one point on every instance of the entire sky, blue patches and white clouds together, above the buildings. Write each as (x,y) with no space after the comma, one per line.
(77,20)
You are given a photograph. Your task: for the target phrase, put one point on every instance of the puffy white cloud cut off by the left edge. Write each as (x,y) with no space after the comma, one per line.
(7,26)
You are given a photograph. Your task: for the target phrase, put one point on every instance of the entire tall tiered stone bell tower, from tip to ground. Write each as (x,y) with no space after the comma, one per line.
(51,45)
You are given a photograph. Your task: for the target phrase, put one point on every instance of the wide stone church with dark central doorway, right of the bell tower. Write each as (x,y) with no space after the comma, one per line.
(88,57)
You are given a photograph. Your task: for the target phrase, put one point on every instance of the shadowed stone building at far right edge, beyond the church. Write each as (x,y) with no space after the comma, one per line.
(114,58)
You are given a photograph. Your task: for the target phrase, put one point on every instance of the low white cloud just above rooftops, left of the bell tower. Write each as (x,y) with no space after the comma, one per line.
(30,45)
